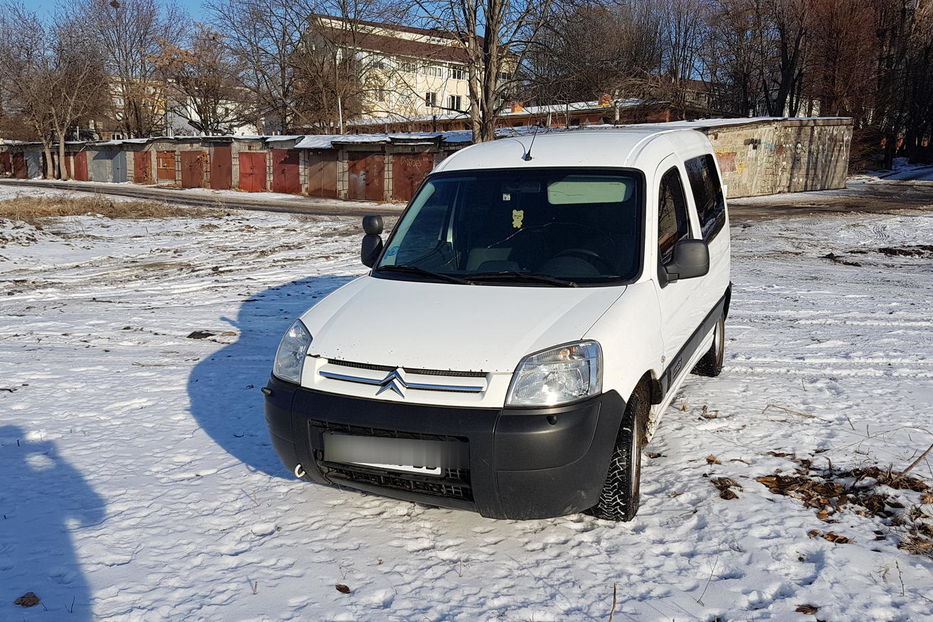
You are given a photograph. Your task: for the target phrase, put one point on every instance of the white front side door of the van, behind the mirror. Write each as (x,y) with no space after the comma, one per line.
(681,312)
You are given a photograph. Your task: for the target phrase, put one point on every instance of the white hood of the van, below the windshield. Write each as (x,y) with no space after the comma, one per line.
(448,326)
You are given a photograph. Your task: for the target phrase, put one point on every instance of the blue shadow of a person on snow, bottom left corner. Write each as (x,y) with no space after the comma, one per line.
(42,500)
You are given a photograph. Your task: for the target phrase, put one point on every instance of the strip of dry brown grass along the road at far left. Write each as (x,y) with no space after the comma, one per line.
(33,210)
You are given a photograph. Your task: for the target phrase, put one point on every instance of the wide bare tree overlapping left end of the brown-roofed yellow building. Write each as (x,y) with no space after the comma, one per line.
(309,63)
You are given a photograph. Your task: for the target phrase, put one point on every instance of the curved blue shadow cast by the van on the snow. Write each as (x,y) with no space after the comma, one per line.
(223,390)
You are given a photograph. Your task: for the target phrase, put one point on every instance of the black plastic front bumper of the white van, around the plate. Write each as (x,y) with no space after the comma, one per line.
(523,462)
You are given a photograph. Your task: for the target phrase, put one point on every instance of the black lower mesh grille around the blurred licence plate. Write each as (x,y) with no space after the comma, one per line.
(454,483)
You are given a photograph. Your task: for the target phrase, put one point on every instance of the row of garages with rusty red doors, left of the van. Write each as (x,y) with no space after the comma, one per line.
(378,167)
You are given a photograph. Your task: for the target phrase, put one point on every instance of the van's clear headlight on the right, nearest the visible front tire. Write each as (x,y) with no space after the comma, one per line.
(557,376)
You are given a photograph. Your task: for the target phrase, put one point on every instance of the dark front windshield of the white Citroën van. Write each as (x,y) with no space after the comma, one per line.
(541,226)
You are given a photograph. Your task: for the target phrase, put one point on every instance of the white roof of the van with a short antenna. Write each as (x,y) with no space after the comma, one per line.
(631,147)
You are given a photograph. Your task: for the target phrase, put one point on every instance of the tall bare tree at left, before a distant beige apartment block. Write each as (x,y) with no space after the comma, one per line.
(131,33)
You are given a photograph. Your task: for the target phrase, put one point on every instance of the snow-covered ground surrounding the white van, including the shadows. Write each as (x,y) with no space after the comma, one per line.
(137,481)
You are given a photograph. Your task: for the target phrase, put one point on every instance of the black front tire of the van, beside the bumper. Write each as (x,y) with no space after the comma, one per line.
(619,497)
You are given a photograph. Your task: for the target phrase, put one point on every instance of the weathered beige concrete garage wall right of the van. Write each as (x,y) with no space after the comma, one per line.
(786,155)
